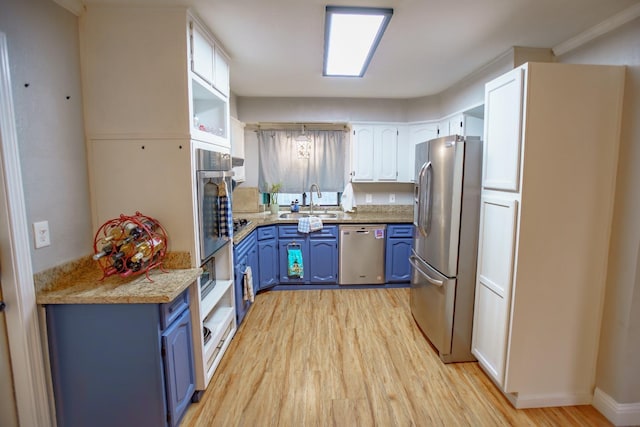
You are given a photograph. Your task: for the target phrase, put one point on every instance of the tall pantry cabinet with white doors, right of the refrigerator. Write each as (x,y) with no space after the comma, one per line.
(551,148)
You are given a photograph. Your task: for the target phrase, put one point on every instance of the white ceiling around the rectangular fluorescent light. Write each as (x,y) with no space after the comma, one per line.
(276,46)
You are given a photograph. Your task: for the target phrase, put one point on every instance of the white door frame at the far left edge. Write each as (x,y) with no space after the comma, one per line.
(21,314)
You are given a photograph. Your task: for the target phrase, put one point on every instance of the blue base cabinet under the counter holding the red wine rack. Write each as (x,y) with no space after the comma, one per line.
(121,364)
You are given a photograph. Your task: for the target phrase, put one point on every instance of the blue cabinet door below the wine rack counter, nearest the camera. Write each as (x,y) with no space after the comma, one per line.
(178,367)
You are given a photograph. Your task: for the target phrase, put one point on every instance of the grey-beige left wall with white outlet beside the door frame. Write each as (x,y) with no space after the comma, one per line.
(42,39)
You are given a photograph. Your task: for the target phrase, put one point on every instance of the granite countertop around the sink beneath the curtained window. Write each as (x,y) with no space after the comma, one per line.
(401,215)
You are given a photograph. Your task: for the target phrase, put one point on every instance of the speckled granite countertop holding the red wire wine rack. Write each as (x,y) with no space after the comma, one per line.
(81,284)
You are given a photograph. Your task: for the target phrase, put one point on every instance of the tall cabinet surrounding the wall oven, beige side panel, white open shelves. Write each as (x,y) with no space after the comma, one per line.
(156,86)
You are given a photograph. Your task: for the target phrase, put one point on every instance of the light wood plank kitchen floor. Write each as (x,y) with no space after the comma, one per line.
(352,357)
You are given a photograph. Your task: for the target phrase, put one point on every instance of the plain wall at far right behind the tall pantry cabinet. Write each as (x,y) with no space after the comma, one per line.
(618,372)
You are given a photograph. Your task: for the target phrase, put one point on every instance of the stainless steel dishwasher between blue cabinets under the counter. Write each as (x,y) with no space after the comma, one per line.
(361,254)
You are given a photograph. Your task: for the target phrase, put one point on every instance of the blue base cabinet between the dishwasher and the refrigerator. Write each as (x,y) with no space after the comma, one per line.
(398,250)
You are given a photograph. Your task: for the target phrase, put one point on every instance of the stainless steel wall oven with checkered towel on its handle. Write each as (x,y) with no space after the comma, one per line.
(213,171)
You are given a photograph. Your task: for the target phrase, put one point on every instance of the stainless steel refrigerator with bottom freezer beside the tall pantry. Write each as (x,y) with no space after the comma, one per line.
(446,216)
